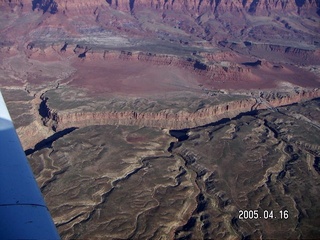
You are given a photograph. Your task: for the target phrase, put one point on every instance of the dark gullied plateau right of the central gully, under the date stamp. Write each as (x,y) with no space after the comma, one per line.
(254,163)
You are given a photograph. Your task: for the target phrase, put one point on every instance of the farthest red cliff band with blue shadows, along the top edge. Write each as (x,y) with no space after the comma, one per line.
(198,6)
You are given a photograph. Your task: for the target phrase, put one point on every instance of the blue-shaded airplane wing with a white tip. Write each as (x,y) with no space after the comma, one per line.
(23,212)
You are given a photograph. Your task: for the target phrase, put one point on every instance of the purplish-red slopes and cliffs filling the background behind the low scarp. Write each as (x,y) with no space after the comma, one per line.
(194,23)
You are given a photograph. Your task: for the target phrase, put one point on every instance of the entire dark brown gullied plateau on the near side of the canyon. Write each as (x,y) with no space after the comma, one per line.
(130,186)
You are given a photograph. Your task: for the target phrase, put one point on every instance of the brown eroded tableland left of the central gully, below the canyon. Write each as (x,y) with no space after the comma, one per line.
(100,177)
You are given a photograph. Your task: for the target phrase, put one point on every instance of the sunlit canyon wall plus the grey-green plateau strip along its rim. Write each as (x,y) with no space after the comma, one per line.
(175,113)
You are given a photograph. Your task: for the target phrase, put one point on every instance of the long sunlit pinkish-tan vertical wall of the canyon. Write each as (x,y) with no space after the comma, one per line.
(175,120)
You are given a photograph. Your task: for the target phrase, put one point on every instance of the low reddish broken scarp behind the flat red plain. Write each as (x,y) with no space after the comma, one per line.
(210,68)
